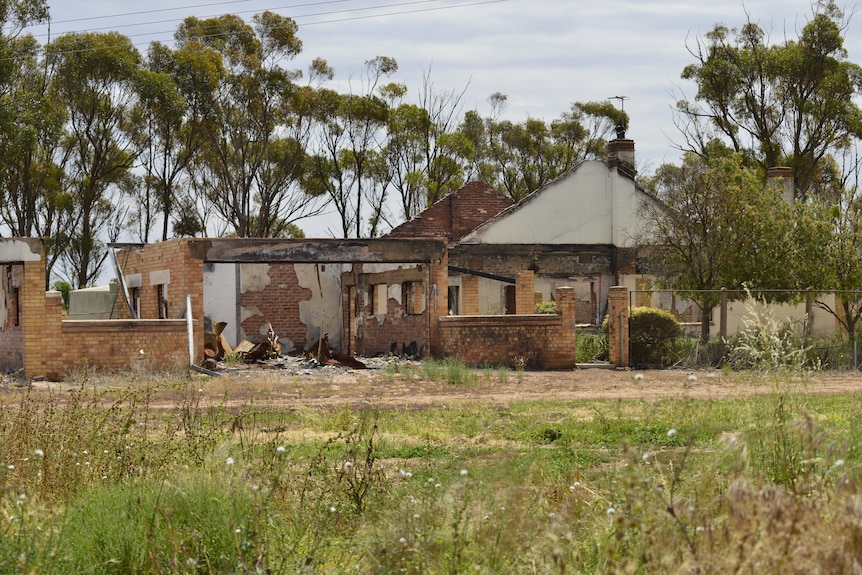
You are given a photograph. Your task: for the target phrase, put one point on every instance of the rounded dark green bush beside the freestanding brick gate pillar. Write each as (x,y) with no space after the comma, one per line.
(653,334)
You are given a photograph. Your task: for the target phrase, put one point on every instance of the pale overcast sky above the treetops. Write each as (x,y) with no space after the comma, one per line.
(543,54)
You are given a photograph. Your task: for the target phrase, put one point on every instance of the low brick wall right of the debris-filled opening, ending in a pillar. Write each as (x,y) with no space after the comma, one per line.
(541,340)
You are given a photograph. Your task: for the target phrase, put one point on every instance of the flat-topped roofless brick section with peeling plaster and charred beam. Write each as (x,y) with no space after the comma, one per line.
(366,296)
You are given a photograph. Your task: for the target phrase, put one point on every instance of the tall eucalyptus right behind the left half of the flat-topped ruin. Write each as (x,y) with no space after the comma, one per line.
(253,151)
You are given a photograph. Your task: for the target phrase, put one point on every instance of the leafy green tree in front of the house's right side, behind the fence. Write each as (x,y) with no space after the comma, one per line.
(719,225)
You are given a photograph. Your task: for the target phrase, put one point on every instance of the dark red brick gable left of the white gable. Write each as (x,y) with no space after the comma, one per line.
(456,214)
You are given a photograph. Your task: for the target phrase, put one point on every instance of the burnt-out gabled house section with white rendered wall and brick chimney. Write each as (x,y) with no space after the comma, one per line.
(580,230)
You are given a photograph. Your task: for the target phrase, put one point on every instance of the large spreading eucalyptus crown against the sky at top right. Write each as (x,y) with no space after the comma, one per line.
(785,104)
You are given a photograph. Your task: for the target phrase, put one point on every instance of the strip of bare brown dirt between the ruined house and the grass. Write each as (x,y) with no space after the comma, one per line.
(294,386)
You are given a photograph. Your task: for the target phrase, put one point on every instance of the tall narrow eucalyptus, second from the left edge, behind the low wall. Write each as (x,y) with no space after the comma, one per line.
(94,75)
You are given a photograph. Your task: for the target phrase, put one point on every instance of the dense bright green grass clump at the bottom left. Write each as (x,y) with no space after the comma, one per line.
(187,525)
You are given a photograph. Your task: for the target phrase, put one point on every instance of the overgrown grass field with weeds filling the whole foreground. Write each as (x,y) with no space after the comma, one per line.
(101,480)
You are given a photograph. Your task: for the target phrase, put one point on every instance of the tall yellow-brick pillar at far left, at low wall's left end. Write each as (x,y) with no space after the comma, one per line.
(36,334)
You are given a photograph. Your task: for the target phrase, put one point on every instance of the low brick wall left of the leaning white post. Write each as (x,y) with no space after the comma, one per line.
(116,345)
